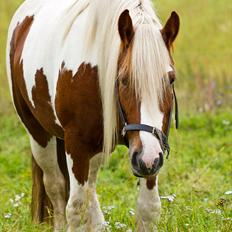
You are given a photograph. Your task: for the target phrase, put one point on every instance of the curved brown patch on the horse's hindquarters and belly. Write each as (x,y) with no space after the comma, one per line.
(39,121)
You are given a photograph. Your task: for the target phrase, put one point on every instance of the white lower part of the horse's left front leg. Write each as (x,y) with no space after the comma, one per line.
(83,204)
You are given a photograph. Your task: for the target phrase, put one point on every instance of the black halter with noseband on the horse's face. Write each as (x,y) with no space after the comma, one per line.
(160,135)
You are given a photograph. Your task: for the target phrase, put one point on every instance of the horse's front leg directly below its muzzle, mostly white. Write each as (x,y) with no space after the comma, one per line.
(149,206)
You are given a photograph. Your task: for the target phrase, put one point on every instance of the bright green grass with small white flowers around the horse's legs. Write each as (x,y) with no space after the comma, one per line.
(198,172)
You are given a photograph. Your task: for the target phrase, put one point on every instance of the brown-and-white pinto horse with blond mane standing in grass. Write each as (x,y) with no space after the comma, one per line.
(86,75)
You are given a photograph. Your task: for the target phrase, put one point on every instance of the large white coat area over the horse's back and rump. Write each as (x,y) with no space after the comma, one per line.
(50,41)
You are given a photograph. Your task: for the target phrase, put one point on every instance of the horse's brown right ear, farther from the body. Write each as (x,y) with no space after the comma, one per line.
(171,29)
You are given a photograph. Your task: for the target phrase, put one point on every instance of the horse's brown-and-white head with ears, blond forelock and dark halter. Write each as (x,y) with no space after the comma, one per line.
(144,90)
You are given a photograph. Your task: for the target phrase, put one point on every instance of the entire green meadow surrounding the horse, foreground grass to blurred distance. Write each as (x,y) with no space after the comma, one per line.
(199,170)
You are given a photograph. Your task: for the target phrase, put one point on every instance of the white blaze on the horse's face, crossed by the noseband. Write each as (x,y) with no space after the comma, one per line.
(151,145)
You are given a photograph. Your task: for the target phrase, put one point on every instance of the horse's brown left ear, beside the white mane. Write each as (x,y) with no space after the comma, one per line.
(125,28)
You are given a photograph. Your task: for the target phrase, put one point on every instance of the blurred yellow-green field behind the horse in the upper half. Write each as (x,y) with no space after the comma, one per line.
(202,51)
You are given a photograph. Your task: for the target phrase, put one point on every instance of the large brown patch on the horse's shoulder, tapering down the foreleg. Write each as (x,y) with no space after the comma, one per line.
(79,109)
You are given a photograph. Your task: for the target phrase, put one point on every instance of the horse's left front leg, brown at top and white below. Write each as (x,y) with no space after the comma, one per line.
(83,211)
